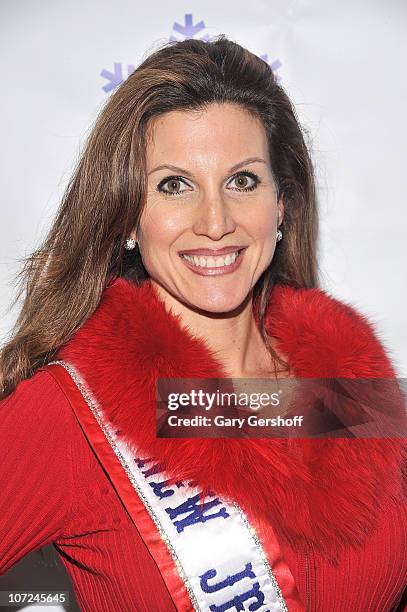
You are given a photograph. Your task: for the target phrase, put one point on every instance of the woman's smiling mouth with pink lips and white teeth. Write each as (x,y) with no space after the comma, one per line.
(210,262)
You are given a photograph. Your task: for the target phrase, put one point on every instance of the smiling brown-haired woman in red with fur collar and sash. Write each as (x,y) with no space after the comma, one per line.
(185,248)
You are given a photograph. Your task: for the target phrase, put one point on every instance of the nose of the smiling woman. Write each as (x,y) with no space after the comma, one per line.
(214,219)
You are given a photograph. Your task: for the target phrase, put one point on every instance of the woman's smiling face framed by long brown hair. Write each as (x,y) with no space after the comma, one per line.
(210,189)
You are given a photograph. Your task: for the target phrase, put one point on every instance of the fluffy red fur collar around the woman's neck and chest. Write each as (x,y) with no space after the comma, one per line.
(325,493)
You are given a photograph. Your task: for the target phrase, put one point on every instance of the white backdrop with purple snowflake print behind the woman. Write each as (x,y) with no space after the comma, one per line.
(342,63)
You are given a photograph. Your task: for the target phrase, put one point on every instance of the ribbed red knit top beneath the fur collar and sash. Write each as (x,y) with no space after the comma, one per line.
(55,490)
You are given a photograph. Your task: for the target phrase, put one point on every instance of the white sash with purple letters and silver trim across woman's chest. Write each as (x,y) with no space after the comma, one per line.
(215,550)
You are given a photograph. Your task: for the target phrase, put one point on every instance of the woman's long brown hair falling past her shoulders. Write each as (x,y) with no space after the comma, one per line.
(63,280)
